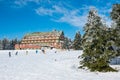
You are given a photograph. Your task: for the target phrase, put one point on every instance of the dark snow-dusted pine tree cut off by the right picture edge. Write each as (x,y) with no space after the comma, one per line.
(115,15)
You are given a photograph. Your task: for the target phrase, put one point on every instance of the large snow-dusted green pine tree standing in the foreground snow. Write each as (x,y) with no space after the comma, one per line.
(95,50)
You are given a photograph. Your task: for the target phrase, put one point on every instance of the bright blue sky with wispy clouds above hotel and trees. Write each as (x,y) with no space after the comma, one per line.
(18,17)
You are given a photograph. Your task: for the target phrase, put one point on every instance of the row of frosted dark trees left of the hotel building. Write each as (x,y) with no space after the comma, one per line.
(6,44)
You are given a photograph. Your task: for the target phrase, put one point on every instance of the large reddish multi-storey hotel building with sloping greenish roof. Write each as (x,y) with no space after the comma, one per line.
(37,40)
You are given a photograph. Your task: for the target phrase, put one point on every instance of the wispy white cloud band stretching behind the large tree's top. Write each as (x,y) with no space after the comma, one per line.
(72,16)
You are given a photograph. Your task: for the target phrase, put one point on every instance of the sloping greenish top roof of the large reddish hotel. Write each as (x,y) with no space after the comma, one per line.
(55,33)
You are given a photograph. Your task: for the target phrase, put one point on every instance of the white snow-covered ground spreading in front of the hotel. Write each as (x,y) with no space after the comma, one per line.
(62,65)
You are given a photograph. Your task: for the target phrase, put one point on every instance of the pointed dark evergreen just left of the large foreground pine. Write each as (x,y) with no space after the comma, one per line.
(77,41)
